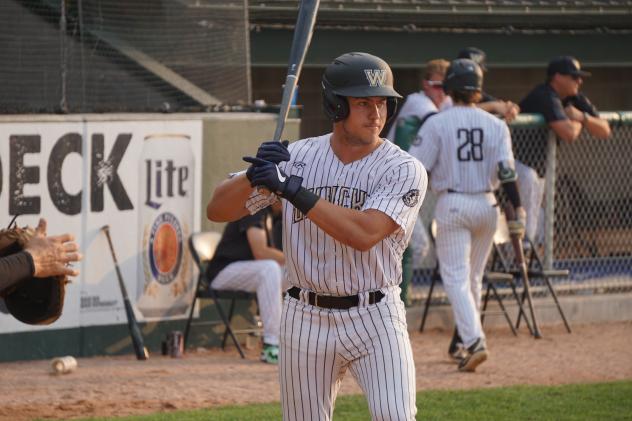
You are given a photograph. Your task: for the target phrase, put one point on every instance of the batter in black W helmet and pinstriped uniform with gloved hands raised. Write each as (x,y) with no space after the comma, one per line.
(350,200)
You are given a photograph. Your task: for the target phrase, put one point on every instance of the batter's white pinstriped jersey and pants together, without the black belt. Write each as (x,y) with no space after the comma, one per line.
(319,345)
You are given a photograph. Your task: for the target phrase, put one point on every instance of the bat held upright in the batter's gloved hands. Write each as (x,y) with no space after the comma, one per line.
(303,31)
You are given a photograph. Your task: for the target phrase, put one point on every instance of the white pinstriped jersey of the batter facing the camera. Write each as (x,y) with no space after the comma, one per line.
(388,180)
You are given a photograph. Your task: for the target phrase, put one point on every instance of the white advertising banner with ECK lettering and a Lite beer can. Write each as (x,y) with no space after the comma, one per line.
(141,178)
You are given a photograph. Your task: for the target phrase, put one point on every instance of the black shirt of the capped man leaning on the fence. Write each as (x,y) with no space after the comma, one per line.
(544,100)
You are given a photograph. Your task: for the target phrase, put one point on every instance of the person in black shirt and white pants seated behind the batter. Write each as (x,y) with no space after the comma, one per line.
(246,260)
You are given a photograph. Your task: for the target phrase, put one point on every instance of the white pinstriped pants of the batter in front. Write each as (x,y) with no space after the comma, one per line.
(318,346)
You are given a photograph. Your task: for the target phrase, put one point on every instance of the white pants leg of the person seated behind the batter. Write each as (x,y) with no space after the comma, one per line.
(264,278)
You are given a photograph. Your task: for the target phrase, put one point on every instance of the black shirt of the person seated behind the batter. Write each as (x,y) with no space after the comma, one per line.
(234,246)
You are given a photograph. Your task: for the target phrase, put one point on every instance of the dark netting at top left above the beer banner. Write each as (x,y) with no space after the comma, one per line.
(123,55)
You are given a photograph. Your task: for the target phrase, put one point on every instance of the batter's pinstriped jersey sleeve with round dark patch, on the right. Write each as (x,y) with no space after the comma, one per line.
(400,193)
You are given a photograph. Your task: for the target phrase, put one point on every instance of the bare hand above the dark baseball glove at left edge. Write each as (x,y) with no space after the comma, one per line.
(52,256)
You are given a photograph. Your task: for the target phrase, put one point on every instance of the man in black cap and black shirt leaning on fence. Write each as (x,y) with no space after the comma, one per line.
(567,112)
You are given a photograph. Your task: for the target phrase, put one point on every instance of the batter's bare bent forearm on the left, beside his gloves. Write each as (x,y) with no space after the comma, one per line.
(229,199)
